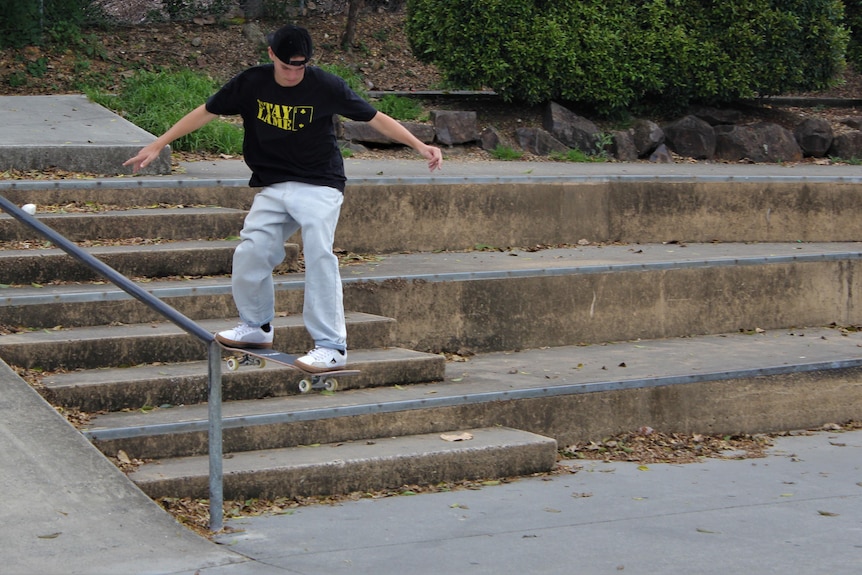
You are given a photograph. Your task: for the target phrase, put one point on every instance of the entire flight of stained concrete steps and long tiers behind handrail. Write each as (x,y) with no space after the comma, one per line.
(706,266)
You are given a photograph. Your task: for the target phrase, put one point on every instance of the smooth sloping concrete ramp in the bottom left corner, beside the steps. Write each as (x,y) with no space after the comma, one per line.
(66,509)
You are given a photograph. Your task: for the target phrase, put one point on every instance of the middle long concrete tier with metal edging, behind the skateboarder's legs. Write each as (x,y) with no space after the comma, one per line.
(485,301)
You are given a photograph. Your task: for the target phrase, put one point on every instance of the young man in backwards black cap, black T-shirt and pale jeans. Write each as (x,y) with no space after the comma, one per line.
(289,143)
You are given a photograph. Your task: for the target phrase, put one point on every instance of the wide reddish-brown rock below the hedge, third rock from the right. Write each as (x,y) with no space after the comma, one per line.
(759,143)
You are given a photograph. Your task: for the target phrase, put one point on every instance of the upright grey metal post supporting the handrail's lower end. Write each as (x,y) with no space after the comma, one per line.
(215,438)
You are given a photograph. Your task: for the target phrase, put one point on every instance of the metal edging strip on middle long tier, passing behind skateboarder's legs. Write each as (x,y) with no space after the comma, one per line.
(298,284)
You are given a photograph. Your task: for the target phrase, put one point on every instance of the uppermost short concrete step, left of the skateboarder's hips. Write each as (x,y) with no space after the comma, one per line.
(179,223)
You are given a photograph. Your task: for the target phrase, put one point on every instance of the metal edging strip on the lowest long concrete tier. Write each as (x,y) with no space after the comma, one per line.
(462,400)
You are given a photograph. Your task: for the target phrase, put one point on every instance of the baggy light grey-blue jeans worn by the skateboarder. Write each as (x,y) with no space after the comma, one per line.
(277,212)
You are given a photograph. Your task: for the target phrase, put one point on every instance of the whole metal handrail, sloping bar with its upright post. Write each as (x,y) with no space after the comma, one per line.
(214,398)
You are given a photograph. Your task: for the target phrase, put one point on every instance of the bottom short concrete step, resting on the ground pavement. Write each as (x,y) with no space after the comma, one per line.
(386,463)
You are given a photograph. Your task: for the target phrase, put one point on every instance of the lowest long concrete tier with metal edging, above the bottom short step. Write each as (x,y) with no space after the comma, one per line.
(723,384)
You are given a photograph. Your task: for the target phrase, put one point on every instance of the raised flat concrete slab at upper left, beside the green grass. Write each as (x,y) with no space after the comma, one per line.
(71,133)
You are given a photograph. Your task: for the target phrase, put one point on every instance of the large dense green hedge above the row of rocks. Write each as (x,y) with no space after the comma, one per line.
(616,54)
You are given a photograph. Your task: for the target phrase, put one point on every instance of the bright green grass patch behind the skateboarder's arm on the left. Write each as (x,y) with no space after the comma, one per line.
(154,101)
